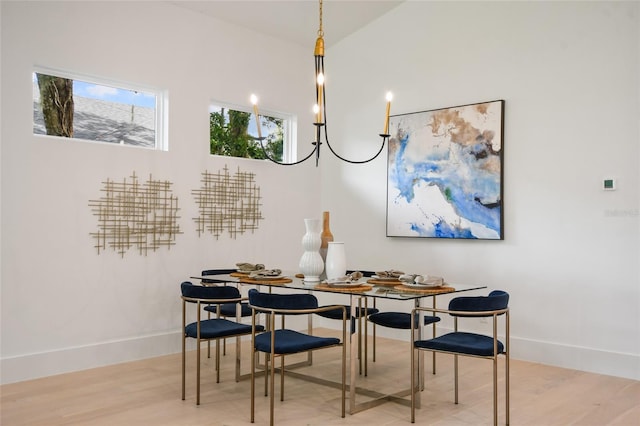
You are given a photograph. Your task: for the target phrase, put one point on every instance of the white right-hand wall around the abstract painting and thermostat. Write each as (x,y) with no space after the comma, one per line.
(569,74)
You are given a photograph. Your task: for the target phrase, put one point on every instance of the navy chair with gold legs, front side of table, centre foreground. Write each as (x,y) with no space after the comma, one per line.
(283,341)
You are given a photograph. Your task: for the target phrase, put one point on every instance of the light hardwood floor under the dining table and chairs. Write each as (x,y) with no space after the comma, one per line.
(148,393)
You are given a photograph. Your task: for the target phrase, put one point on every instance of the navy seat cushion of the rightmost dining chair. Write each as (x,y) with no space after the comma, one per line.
(460,342)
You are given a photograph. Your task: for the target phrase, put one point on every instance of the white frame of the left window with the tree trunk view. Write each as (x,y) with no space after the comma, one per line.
(160,114)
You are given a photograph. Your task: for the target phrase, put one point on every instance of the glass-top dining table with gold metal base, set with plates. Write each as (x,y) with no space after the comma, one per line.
(359,293)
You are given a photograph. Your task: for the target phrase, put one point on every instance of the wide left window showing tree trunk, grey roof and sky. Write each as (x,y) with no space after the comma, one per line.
(73,106)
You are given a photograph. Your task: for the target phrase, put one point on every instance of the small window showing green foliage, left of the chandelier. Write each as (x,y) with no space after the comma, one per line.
(233,133)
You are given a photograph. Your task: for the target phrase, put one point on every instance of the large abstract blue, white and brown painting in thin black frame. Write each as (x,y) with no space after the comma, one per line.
(445,173)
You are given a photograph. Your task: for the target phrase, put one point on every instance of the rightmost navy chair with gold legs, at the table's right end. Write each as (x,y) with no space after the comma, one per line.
(459,343)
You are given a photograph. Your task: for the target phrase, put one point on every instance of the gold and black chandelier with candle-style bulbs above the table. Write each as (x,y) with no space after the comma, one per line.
(320,112)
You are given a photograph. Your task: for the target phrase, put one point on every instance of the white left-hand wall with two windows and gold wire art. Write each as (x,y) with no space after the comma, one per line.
(64,307)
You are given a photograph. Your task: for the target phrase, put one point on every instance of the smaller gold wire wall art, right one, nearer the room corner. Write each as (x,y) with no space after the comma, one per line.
(227,203)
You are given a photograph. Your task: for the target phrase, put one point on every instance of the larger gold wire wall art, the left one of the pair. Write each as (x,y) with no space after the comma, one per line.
(135,215)
